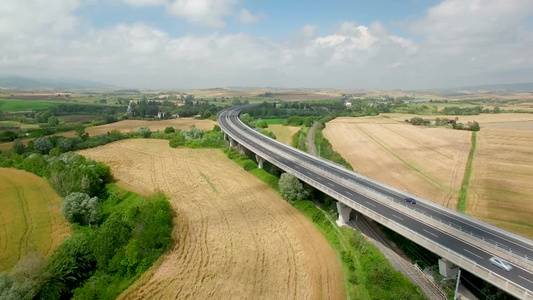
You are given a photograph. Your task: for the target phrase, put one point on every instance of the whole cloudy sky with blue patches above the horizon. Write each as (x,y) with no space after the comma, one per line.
(185,44)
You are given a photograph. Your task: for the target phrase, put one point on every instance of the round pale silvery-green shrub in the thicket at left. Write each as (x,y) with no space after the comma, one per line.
(80,208)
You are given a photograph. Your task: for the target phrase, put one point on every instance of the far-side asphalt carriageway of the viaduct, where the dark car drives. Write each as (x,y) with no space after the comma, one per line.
(519,247)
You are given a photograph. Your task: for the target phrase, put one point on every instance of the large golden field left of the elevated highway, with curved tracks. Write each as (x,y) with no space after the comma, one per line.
(234,237)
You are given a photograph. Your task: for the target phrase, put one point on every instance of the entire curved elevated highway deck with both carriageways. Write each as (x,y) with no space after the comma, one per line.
(465,241)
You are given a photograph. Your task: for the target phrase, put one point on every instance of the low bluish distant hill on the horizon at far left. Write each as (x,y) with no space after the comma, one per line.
(24,83)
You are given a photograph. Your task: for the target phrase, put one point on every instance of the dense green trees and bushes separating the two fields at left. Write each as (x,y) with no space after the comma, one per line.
(117,234)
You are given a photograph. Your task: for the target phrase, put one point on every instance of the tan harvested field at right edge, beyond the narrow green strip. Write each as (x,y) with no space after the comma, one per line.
(501,186)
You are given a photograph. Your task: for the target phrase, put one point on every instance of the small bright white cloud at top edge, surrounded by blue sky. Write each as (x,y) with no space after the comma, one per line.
(203,12)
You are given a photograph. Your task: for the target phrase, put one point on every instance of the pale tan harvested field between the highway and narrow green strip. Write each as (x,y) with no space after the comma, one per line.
(427,162)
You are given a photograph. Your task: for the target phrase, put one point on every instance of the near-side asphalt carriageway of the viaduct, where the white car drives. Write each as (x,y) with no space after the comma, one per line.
(479,256)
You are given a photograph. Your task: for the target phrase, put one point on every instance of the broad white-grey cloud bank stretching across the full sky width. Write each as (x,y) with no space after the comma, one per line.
(38,40)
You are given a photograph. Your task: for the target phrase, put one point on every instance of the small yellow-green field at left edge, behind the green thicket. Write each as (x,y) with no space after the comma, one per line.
(30,218)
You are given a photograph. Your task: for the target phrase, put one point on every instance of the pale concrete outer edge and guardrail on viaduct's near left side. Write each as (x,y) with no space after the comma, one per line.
(441,250)
